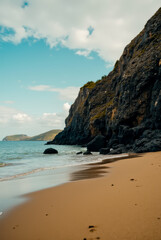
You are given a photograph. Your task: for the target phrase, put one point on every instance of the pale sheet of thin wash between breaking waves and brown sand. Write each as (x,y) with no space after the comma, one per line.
(14,188)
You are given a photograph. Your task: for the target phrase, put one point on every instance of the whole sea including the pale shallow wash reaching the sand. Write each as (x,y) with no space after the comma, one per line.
(25,169)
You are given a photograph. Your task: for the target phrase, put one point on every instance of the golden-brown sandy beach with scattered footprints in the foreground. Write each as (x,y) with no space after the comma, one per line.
(125,203)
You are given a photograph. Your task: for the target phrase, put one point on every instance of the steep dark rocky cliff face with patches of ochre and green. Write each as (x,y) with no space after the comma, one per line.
(124,106)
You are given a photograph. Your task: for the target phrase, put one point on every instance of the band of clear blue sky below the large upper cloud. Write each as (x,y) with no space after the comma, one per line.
(31,64)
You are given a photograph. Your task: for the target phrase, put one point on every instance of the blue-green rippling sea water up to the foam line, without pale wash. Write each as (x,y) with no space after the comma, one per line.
(19,159)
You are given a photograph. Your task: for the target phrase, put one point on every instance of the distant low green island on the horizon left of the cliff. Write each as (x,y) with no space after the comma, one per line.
(47,136)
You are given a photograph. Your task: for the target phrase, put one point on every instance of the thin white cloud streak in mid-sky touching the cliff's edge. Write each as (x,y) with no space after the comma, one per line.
(67,94)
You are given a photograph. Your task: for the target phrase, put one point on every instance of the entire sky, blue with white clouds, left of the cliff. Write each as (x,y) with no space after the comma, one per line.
(51,48)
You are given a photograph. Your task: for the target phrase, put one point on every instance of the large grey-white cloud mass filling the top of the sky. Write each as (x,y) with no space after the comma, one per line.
(104,26)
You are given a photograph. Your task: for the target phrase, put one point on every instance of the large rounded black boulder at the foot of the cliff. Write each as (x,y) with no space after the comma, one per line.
(96,144)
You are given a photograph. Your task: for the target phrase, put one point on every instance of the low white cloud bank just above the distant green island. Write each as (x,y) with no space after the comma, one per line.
(13,121)
